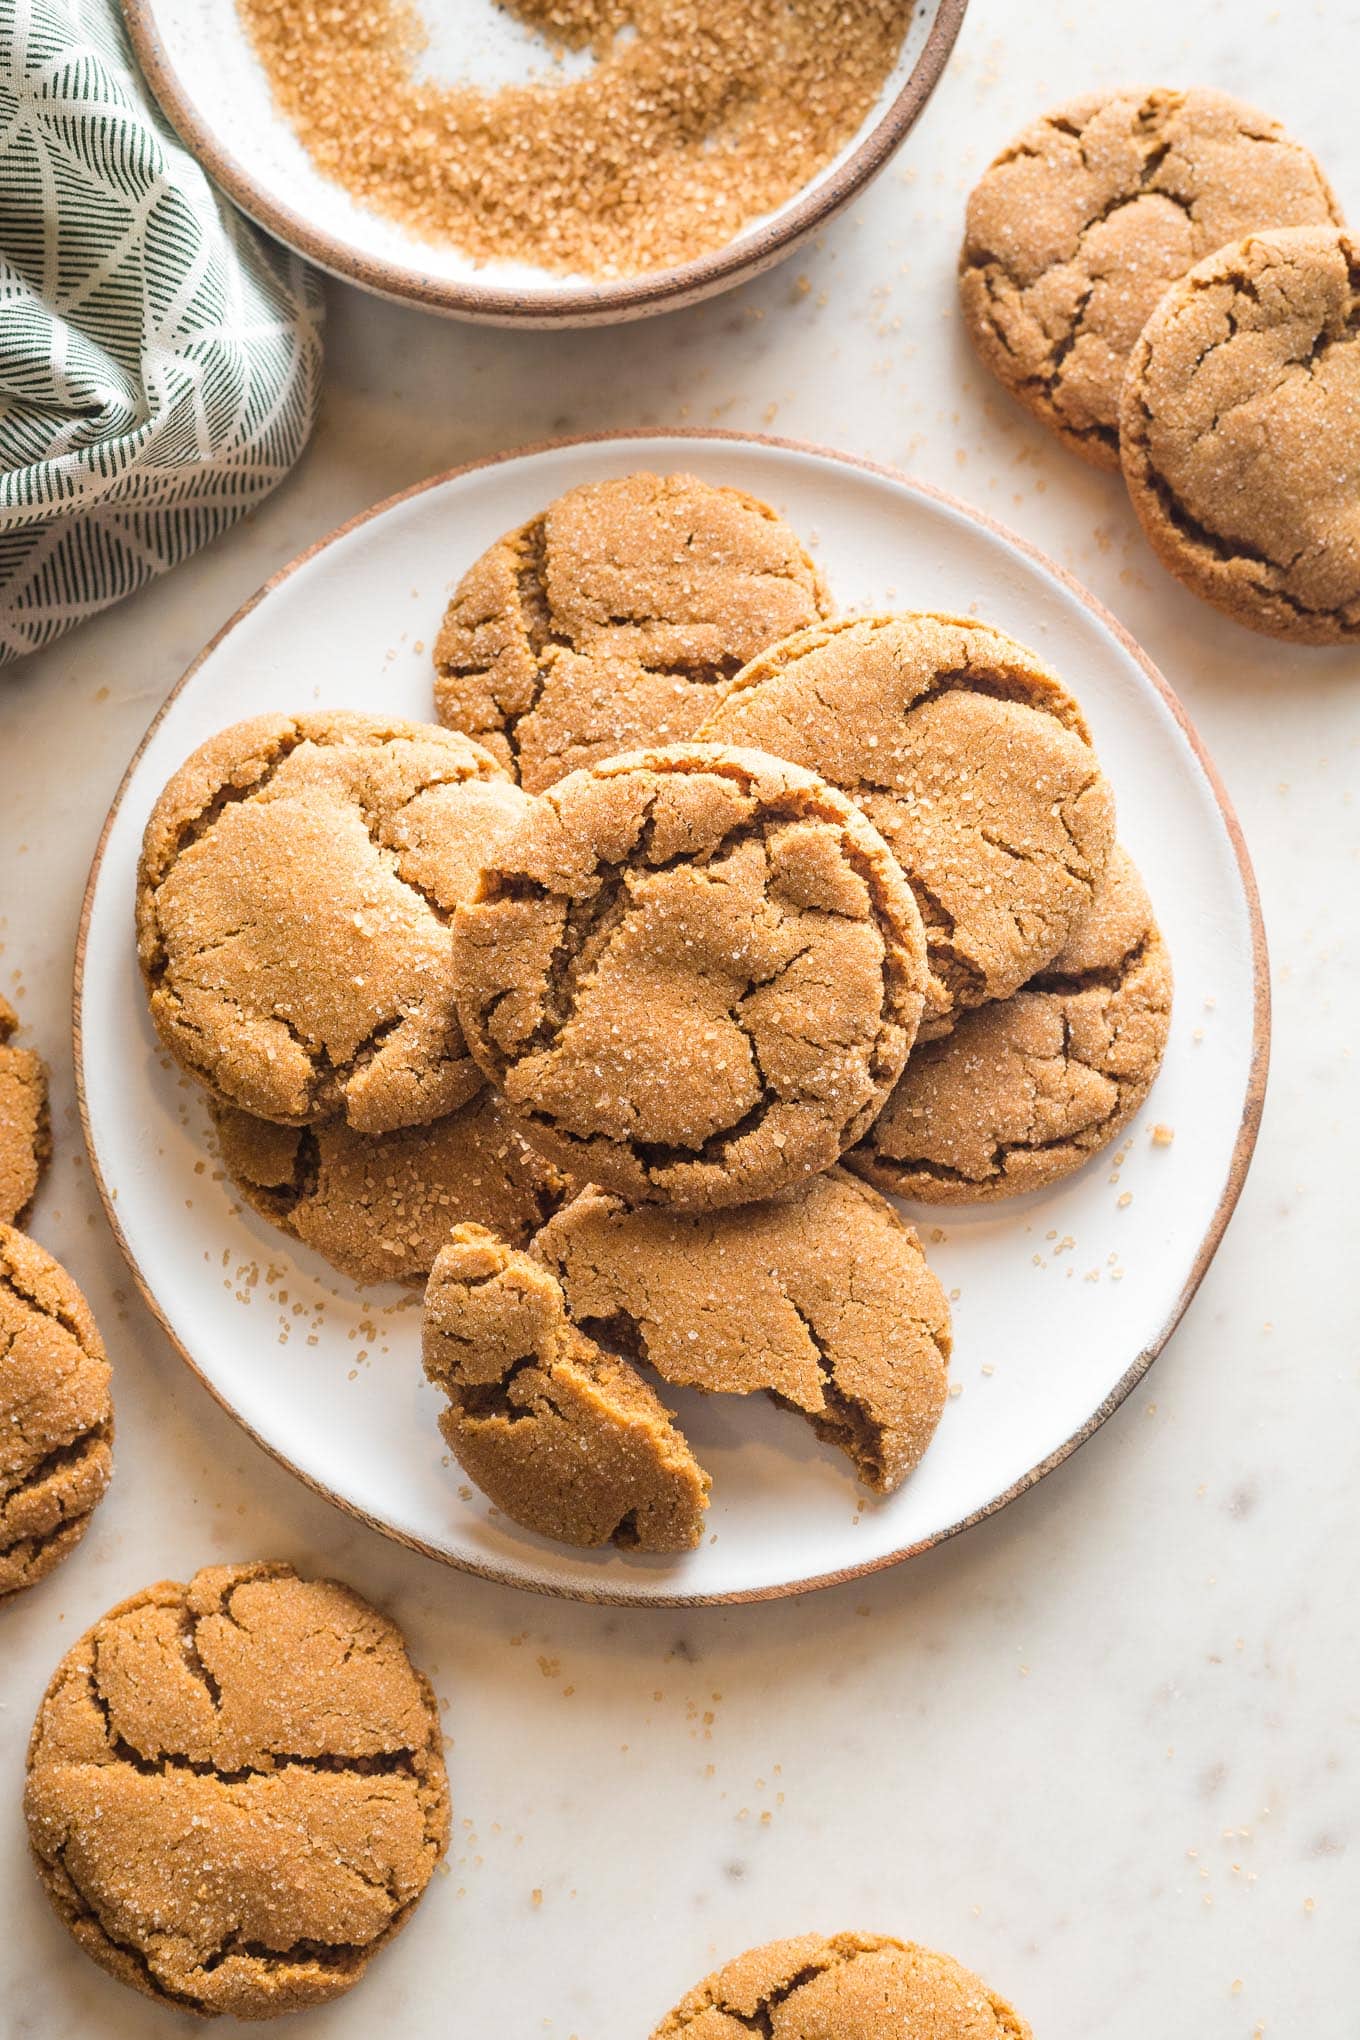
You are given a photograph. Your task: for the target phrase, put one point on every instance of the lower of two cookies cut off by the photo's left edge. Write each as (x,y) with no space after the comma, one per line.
(56,1417)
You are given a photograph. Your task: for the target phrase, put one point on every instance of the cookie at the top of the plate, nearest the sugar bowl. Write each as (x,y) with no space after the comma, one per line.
(605,623)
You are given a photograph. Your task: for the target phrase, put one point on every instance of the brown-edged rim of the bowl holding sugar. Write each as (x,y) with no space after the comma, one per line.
(590,305)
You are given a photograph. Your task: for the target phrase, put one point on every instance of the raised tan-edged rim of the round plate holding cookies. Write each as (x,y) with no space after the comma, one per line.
(1208,1247)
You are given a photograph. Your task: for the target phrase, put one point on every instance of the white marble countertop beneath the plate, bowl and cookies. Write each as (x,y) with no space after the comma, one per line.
(1104,1747)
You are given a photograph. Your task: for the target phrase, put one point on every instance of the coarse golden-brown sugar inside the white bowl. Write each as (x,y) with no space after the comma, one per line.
(707,115)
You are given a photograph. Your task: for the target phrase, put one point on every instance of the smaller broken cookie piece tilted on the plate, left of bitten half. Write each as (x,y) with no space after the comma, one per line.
(566,1439)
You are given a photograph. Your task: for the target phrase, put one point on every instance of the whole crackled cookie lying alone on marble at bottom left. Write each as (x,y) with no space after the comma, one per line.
(238,1790)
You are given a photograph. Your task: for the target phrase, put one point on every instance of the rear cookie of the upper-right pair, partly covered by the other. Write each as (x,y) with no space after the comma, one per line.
(1090,215)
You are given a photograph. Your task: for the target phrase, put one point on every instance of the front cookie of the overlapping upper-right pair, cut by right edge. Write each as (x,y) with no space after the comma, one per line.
(1241,433)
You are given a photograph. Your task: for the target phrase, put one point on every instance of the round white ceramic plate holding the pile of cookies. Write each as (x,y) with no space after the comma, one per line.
(1063,1298)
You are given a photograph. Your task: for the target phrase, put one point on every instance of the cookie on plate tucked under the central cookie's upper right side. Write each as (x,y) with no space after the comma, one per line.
(972,762)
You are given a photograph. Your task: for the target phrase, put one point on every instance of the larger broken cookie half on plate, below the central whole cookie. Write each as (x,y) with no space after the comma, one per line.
(823,1300)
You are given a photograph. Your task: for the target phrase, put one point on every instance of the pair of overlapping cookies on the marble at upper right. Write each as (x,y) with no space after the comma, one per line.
(1167,283)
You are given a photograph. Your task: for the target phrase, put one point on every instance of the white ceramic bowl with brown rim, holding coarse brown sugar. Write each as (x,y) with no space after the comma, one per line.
(201,66)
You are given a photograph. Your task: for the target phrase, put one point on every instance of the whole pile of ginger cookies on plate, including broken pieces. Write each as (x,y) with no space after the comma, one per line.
(611,1007)
